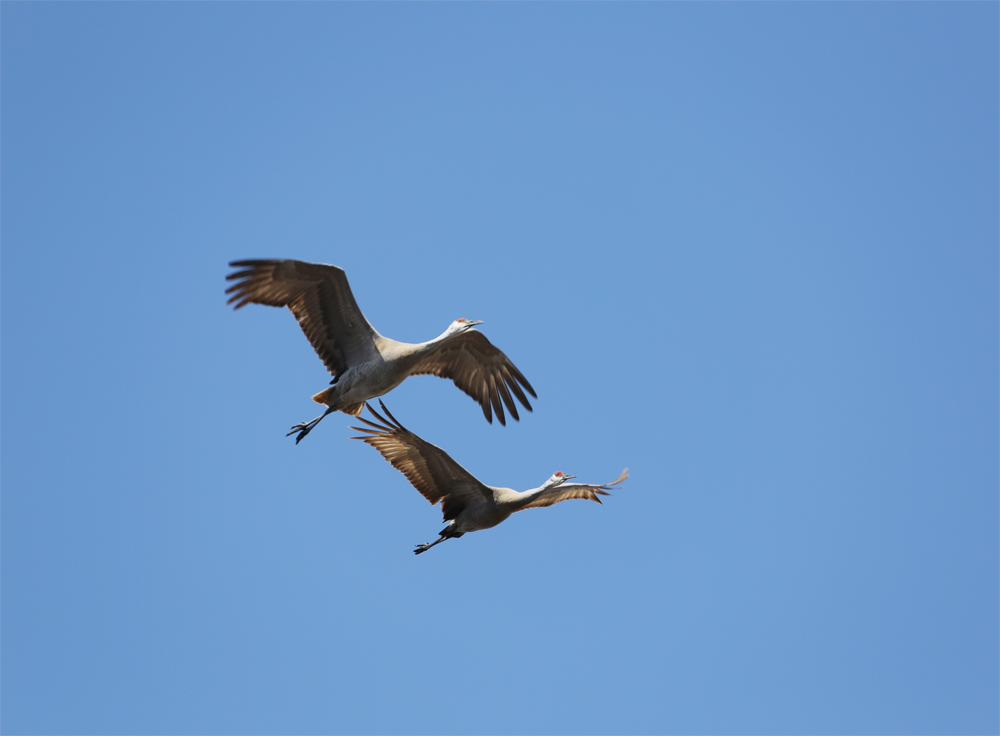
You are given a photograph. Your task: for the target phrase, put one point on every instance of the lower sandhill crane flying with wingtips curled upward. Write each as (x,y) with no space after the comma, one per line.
(467,503)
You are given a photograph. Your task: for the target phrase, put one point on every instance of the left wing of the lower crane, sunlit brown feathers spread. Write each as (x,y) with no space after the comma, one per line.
(428,468)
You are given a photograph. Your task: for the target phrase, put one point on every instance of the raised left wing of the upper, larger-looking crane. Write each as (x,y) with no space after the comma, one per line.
(321,300)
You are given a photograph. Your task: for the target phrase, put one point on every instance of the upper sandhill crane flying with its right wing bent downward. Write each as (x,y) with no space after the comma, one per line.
(363,363)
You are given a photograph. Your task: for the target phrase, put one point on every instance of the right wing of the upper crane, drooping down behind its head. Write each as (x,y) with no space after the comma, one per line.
(480,369)
